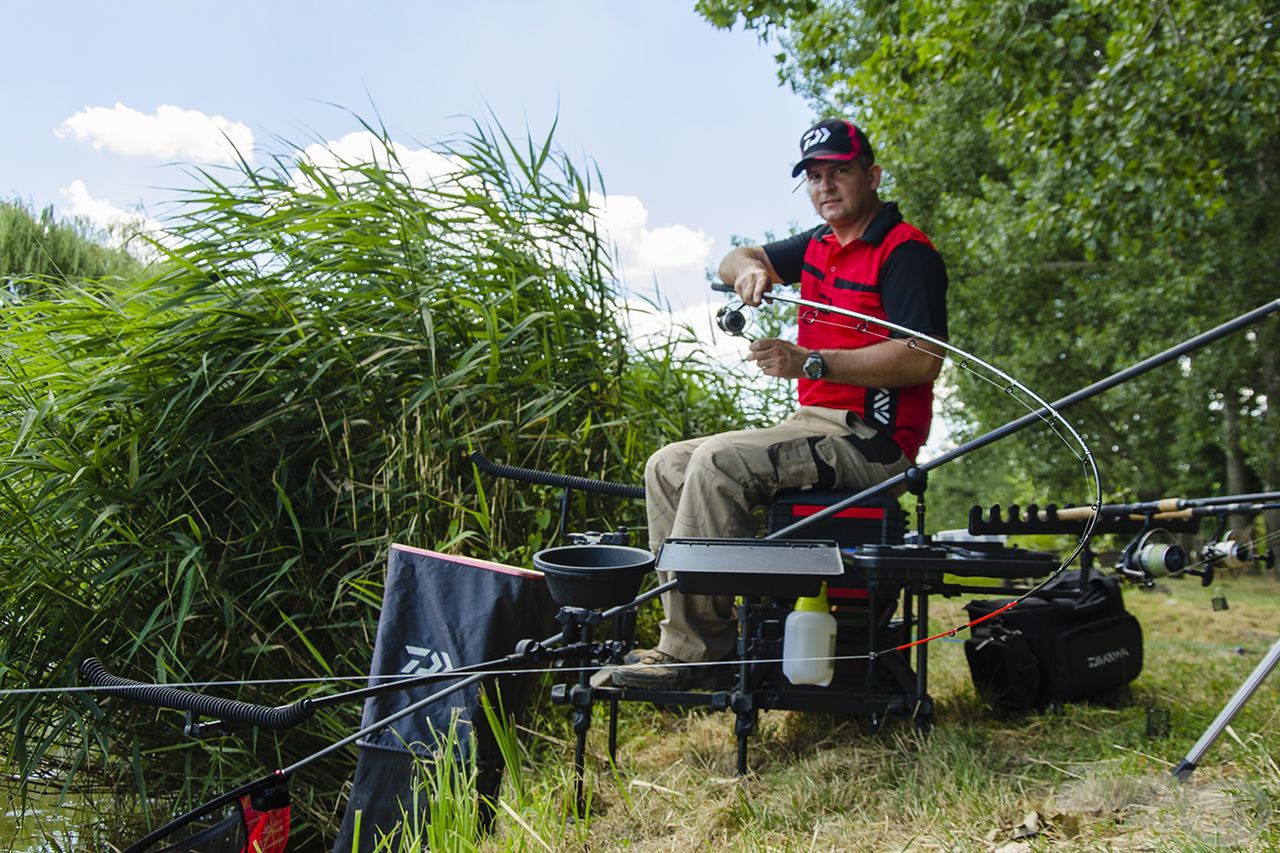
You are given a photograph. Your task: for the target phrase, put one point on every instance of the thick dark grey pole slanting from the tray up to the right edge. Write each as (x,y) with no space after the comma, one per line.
(1040,414)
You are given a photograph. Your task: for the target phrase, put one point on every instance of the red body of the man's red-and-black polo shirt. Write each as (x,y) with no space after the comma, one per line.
(849,277)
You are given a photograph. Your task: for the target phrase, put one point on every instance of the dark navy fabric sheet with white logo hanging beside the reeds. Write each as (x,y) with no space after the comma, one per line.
(440,612)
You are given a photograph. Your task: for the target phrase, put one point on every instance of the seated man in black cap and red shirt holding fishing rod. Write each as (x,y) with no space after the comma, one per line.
(866,400)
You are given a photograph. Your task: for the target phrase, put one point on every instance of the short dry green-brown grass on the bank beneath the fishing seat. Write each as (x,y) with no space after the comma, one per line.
(1084,777)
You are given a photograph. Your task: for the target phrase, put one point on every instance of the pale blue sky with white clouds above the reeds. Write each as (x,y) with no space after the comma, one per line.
(688,125)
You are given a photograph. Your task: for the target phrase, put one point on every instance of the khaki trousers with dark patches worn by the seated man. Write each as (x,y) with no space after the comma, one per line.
(708,487)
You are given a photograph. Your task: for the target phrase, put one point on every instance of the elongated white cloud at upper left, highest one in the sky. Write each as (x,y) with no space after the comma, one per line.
(171,133)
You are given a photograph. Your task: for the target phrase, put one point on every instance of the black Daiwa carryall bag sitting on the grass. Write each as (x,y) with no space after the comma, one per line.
(1054,650)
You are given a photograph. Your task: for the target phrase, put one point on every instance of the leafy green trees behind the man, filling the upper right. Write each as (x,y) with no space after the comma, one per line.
(1100,177)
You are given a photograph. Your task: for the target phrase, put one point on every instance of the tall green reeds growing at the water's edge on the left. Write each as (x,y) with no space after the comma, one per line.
(202,467)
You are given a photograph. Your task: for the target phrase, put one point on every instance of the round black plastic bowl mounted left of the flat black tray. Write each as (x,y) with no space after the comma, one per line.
(593,577)
